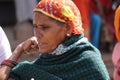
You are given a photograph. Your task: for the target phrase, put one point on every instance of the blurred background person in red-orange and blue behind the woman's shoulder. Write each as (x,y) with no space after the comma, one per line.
(90,19)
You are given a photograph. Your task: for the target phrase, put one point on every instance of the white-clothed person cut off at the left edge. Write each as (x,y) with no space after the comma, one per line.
(5,49)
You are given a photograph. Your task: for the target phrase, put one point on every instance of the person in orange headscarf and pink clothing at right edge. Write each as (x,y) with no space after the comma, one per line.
(116,50)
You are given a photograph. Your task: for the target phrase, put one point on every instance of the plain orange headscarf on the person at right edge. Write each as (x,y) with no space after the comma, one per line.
(117,23)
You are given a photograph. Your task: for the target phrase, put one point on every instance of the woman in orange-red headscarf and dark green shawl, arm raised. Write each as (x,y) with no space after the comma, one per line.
(65,53)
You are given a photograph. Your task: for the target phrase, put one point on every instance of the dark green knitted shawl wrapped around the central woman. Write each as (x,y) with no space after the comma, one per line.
(82,62)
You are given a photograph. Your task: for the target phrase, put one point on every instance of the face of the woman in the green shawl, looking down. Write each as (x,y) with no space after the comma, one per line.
(49,33)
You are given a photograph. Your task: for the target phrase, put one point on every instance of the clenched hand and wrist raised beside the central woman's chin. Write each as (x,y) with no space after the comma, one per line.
(28,46)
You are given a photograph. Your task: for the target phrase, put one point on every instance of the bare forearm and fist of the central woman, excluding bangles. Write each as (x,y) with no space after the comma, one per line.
(20,49)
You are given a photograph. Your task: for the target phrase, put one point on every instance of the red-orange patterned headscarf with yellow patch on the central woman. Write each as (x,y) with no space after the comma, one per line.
(62,10)
